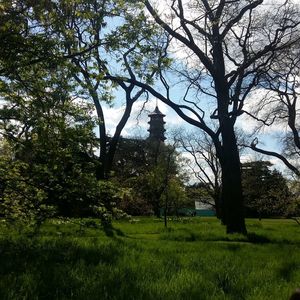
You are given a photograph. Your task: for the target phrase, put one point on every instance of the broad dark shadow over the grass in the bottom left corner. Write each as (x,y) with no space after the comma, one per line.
(43,268)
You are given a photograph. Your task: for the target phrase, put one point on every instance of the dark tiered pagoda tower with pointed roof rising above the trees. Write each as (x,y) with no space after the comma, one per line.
(157,128)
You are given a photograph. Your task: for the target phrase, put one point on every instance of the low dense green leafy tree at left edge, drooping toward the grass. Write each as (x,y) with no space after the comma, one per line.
(49,168)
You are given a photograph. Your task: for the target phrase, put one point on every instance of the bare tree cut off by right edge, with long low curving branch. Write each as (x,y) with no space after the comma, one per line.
(281,86)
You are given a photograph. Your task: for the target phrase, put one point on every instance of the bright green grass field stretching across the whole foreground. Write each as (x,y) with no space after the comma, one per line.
(192,259)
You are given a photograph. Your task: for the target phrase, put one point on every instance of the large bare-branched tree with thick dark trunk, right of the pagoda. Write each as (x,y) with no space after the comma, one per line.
(230,43)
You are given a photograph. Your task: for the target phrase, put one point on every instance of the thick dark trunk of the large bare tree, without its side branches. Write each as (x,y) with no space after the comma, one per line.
(232,195)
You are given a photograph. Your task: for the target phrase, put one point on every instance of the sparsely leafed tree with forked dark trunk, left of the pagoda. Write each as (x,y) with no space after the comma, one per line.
(93,38)
